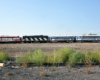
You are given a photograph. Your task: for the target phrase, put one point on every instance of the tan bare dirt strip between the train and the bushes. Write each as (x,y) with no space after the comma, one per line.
(16,50)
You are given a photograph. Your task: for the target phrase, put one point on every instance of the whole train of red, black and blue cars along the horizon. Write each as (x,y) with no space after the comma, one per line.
(48,39)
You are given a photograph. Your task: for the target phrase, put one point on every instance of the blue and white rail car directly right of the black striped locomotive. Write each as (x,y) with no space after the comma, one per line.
(62,38)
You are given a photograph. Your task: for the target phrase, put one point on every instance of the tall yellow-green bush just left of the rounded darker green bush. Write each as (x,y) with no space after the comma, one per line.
(65,52)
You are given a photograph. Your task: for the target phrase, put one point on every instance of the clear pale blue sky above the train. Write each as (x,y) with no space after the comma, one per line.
(49,17)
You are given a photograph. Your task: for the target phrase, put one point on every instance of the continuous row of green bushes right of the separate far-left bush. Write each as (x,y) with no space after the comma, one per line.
(63,55)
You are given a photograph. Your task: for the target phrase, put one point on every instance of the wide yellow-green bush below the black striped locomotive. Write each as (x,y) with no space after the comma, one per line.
(37,57)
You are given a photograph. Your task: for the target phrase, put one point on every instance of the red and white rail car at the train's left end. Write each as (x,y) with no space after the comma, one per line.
(14,39)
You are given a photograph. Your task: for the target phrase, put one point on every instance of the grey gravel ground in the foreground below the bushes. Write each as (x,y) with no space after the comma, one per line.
(58,73)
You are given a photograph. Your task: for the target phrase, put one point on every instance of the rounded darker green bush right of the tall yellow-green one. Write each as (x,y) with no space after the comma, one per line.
(76,57)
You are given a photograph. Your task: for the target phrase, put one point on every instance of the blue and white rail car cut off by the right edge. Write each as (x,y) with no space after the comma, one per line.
(88,38)
